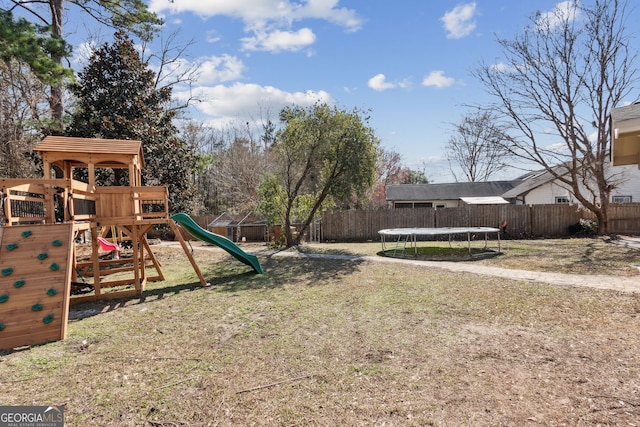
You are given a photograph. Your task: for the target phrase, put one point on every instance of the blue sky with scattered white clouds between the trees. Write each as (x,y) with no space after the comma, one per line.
(409,62)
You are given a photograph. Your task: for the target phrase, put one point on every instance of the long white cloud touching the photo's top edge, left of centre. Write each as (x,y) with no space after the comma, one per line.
(253,12)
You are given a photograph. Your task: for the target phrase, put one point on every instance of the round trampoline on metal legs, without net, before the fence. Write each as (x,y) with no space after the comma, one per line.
(407,237)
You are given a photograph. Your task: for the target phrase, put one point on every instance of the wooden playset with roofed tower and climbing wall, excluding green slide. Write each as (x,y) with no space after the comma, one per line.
(44,217)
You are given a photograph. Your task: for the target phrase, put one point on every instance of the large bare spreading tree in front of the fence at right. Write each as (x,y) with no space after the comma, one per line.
(561,78)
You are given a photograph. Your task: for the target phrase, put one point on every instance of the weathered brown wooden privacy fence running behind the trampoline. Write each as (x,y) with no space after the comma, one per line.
(522,221)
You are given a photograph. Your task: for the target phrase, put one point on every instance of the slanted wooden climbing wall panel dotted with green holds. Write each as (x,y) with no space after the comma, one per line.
(35,280)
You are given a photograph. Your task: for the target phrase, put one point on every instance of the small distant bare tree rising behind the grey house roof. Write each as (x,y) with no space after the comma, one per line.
(477,147)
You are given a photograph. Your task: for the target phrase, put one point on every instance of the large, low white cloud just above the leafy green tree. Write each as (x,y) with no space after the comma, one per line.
(223,104)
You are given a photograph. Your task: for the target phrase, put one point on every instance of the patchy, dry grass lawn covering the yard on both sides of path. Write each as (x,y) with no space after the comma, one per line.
(348,342)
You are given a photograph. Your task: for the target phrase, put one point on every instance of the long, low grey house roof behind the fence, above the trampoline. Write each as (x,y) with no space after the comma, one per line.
(451,191)
